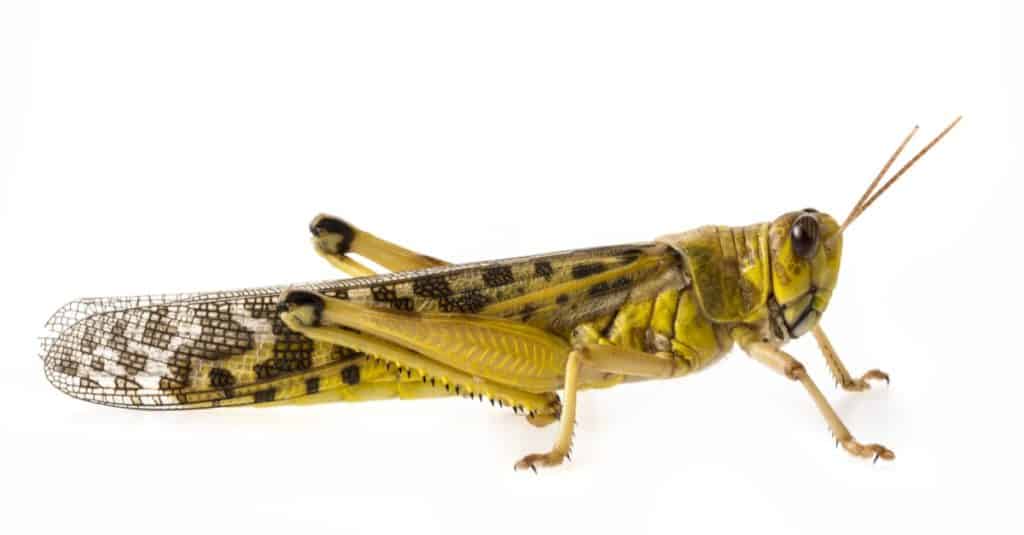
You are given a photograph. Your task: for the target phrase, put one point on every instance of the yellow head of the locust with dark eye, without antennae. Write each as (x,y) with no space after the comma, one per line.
(804,251)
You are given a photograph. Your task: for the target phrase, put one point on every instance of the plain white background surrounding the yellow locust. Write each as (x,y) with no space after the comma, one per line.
(152,147)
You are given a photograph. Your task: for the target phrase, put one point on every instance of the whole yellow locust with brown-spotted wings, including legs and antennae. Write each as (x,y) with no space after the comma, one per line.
(514,332)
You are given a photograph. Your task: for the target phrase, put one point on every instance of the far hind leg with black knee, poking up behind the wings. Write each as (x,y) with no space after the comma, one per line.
(335,240)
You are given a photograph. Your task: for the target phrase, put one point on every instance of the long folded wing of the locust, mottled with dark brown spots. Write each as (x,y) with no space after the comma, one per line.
(228,349)
